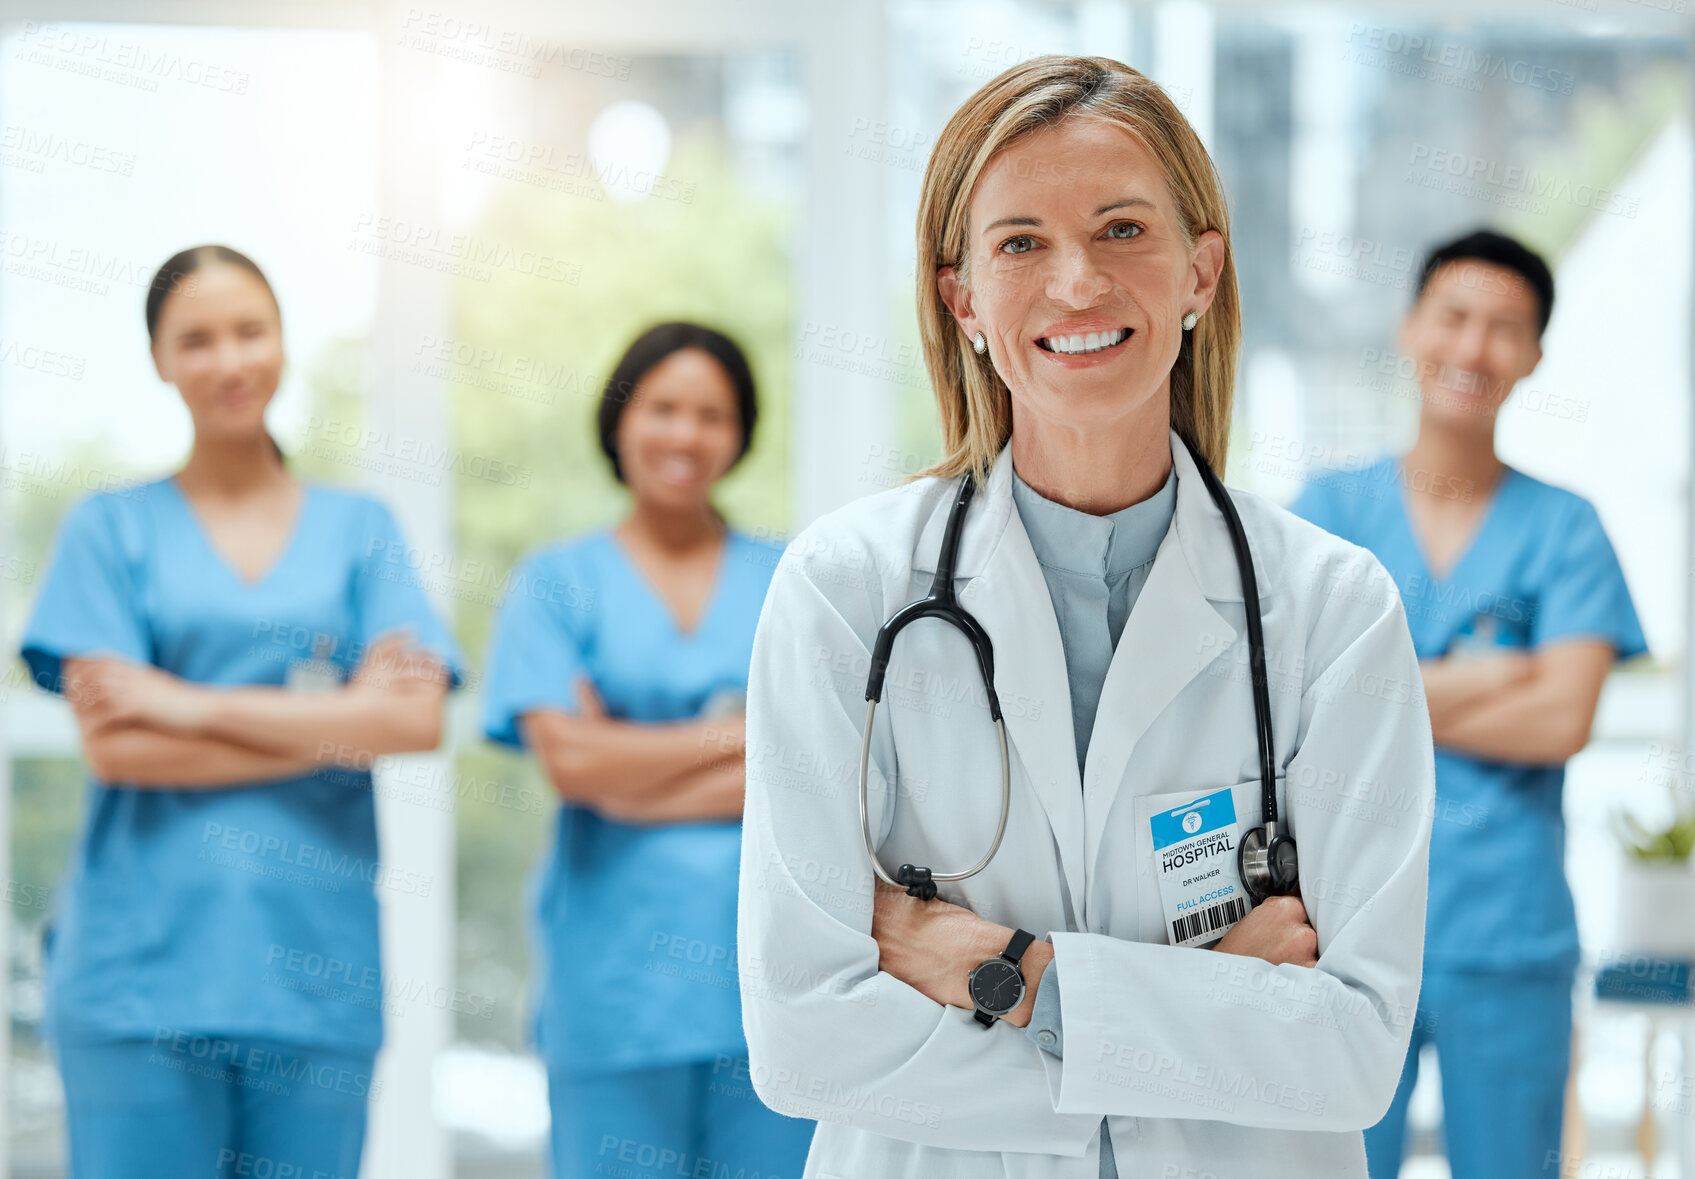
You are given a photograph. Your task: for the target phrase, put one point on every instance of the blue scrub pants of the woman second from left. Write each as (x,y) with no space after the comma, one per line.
(674,1122)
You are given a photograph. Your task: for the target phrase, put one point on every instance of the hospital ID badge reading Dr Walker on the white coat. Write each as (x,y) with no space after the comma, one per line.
(1196,858)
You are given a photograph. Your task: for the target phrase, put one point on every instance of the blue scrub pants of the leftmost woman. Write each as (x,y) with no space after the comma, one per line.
(203,1107)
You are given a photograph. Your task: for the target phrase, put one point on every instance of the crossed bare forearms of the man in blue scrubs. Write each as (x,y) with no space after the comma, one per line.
(1531,707)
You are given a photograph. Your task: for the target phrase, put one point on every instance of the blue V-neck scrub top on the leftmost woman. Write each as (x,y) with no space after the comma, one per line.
(245,911)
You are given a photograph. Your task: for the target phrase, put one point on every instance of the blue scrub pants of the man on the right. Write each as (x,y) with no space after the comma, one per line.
(1504,1049)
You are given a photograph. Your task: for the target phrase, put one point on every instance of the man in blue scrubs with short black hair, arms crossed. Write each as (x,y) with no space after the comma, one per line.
(1518,611)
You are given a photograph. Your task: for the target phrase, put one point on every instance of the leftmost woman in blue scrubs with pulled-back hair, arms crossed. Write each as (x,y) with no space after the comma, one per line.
(236,648)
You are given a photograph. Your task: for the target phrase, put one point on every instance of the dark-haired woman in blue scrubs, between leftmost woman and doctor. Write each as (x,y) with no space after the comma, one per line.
(621,661)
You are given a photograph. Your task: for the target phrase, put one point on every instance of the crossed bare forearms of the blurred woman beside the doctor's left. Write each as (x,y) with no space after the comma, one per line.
(642,773)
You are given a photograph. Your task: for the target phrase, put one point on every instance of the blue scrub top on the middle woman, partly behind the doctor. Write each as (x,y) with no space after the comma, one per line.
(635,926)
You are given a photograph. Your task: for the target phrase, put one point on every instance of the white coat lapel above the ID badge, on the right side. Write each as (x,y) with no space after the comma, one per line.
(1172,636)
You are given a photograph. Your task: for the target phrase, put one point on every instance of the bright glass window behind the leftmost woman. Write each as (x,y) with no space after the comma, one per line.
(121,147)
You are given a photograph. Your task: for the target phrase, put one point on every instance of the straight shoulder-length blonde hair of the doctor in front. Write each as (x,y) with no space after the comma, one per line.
(974,402)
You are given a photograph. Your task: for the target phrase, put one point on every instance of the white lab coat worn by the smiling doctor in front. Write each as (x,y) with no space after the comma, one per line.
(1204,1063)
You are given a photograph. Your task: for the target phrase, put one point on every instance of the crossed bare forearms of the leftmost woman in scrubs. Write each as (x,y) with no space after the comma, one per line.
(145,728)
